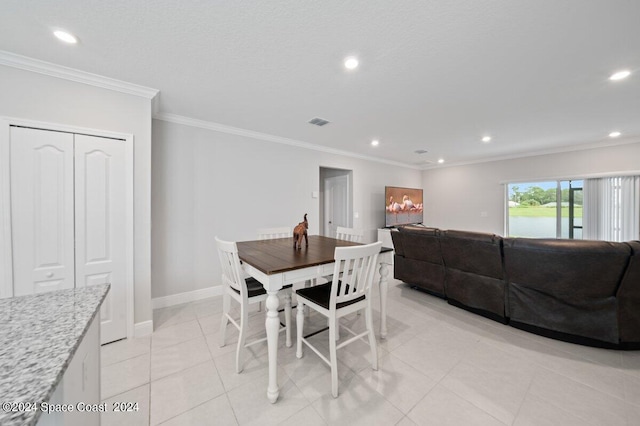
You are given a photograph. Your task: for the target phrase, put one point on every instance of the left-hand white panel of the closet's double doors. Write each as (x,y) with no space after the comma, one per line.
(42,210)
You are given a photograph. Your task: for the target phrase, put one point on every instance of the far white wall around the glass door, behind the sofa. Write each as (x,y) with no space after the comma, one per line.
(456,197)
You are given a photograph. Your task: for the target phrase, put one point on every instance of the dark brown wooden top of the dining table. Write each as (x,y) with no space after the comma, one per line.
(278,255)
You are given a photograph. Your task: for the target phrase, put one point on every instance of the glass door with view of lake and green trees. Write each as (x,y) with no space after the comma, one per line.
(549,209)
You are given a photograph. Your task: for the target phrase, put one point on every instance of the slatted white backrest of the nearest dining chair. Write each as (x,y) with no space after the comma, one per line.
(355,268)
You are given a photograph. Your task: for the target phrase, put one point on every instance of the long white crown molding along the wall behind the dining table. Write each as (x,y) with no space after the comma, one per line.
(216,127)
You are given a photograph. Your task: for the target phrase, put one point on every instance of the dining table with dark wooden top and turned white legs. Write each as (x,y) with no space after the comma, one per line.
(275,264)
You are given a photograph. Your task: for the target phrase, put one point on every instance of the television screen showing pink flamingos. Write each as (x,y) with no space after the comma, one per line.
(403,206)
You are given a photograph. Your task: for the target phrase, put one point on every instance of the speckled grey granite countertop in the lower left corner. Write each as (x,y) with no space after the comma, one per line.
(39,334)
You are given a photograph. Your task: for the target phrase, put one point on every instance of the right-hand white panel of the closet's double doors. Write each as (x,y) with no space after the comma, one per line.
(100,189)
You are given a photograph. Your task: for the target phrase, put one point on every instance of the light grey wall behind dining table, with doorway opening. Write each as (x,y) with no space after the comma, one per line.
(207,184)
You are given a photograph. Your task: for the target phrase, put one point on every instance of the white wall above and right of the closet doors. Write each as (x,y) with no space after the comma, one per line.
(32,96)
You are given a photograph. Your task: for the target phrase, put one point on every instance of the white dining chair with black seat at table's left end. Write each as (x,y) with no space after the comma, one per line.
(245,291)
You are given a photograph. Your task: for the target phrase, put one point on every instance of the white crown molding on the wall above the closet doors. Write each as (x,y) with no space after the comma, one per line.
(47,68)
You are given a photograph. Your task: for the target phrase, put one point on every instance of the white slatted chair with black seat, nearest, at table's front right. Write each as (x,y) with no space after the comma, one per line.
(356,265)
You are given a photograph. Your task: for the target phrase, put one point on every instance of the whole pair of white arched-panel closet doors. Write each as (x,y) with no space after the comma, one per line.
(68,217)
